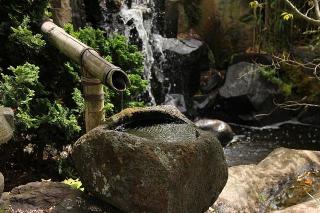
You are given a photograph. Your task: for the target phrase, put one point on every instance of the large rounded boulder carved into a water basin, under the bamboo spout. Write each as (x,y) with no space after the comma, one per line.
(145,160)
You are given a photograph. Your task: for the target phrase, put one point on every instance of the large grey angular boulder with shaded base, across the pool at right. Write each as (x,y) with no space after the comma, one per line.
(246,94)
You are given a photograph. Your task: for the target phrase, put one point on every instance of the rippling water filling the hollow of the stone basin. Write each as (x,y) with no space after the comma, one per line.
(164,132)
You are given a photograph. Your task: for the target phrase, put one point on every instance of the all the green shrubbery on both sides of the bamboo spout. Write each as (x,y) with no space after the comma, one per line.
(43,87)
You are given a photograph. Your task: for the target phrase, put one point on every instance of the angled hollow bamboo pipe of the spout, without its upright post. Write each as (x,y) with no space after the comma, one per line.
(107,73)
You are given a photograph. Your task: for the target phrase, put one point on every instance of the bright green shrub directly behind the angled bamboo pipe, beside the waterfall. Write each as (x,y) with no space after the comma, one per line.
(117,50)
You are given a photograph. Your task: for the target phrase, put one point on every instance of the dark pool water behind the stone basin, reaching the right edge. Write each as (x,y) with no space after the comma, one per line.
(252,144)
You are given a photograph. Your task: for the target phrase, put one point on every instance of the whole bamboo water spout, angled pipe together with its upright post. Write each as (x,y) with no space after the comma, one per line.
(96,71)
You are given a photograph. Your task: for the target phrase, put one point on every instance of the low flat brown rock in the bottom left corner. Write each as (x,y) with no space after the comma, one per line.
(53,197)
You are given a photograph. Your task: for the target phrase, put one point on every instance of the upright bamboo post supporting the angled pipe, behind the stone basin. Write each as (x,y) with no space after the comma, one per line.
(94,101)
